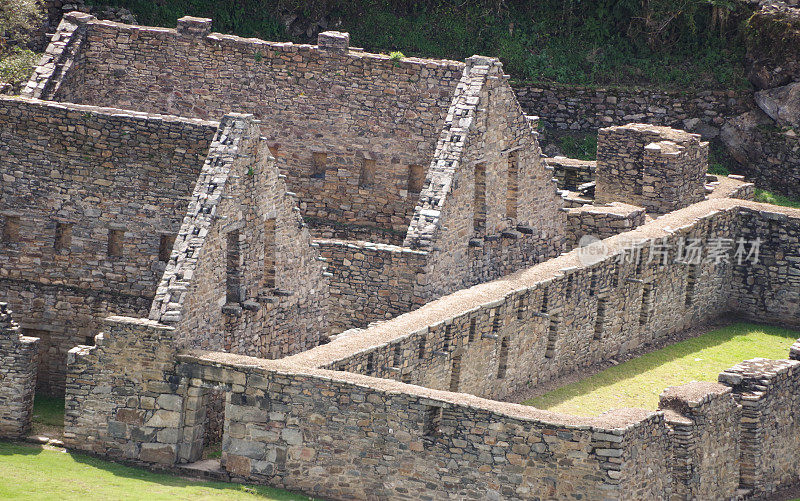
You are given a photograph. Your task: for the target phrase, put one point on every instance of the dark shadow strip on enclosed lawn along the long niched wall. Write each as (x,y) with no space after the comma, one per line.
(650,361)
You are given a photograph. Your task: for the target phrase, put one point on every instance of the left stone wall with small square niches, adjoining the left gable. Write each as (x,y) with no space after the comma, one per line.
(74,179)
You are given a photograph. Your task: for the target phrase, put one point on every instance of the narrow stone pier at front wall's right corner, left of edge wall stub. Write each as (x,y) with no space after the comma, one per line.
(704,422)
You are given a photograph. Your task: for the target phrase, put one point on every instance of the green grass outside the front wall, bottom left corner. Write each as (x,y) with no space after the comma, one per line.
(32,472)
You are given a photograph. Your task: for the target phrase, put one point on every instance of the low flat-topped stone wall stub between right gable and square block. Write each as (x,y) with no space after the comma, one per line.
(601,221)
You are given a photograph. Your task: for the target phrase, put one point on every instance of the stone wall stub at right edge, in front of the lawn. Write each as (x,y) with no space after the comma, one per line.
(768,392)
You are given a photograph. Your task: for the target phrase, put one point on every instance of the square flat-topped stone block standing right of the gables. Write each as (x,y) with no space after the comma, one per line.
(658,168)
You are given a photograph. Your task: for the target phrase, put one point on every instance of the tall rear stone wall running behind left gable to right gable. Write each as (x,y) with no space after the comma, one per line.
(329,113)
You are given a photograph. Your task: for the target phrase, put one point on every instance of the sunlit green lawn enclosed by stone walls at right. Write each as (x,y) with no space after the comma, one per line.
(639,382)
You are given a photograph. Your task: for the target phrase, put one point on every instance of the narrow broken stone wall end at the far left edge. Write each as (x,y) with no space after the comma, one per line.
(17,376)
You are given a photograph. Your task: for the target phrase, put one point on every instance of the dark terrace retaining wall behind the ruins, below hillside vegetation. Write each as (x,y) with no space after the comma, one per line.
(587,109)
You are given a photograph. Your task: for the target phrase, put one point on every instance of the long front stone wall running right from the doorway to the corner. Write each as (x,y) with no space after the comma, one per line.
(284,424)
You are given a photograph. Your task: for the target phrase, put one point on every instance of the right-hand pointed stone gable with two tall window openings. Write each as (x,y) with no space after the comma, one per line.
(489,206)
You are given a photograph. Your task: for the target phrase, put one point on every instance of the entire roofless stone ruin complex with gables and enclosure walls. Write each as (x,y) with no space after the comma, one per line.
(347,259)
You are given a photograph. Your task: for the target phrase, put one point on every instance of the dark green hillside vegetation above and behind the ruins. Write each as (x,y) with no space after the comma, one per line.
(687,44)
